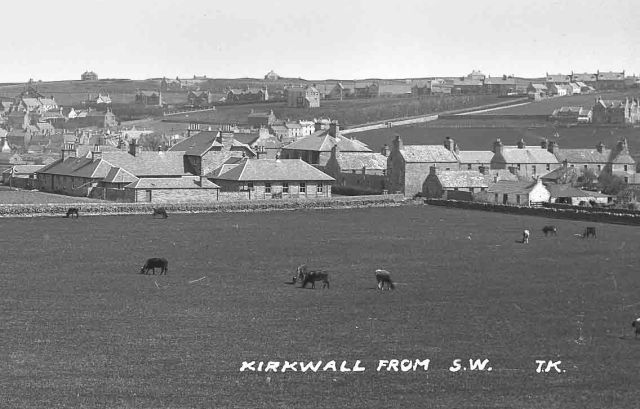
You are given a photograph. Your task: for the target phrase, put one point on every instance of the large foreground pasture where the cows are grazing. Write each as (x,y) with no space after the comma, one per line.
(80,327)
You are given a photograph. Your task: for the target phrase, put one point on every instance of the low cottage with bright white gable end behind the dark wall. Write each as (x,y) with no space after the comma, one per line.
(519,193)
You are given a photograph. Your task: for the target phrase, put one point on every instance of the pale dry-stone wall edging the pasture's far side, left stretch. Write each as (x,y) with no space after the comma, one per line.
(102,209)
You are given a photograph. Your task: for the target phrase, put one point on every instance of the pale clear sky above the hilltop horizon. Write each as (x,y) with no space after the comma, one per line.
(315,40)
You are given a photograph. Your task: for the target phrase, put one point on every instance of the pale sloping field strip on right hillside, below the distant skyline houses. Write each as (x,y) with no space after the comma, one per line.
(546,107)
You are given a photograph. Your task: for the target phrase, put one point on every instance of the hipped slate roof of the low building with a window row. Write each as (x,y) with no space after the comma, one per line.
(275,170)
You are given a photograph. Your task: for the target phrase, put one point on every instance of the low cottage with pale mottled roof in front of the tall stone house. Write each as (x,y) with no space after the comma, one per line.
(454,184)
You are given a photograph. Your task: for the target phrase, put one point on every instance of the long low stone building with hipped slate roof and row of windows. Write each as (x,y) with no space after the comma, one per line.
(274,178)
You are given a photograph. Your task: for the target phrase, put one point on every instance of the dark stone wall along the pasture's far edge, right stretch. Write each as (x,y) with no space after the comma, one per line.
(612,216)
